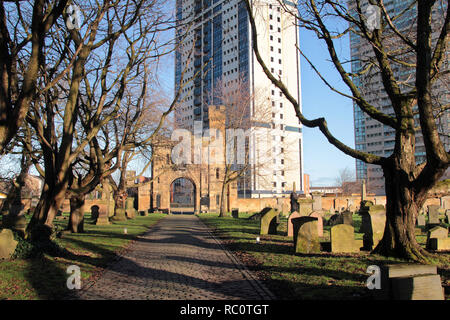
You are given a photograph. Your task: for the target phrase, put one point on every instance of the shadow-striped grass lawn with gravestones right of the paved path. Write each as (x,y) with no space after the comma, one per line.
(309,276)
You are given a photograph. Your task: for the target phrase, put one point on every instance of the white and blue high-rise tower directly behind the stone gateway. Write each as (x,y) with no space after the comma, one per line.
(214,54)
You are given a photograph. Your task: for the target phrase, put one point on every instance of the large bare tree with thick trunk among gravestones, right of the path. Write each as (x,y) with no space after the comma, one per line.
(406,182)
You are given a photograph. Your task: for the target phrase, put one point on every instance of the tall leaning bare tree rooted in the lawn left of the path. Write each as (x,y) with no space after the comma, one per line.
(114,43)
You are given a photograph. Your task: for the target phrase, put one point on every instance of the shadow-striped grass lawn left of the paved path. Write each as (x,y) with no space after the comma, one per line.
(45,277)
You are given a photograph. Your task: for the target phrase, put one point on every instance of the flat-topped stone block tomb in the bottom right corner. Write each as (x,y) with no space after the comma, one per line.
(410,281)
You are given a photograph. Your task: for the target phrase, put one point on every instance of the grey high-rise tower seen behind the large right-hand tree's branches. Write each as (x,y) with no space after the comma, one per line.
(370,135)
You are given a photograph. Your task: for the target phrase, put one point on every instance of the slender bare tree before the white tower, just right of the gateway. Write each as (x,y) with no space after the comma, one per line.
(237,98)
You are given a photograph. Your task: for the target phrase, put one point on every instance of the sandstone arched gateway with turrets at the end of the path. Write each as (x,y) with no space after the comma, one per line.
(190,187)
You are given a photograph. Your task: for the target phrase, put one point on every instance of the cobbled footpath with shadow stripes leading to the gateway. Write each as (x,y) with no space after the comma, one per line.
(177,259)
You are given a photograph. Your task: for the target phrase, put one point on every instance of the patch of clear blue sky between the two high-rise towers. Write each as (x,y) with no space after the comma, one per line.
(321,160)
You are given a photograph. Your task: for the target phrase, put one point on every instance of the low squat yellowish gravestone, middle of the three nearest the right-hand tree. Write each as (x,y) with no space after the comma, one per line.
(343,239)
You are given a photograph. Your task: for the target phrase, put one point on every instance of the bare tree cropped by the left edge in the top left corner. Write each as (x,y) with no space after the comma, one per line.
(24,28)
